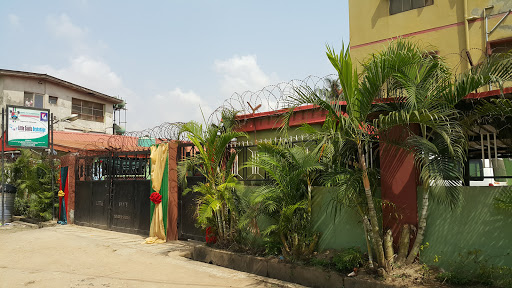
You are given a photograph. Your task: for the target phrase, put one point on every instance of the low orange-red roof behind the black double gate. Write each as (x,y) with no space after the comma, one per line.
(75,142)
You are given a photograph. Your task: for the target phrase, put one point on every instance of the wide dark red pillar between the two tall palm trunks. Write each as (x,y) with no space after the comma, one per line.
(398,182)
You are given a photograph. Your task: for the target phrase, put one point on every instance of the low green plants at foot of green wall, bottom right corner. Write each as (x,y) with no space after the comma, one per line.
(471,269)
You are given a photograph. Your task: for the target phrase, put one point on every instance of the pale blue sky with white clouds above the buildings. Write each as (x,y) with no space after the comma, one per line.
(172,61)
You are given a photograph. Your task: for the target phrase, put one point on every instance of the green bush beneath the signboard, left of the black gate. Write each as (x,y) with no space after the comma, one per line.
(32,175)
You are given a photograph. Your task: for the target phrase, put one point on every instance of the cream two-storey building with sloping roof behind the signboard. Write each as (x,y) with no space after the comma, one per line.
(89,110)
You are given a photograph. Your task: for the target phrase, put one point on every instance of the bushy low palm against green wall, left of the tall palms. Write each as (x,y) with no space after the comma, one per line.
(287,198)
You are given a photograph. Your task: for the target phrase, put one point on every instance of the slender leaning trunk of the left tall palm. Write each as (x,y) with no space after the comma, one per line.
(377,239)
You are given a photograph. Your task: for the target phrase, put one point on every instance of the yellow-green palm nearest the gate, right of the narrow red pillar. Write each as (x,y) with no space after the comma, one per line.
(217,204)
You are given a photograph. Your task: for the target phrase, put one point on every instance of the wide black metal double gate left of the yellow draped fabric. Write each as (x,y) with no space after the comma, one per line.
(112,191)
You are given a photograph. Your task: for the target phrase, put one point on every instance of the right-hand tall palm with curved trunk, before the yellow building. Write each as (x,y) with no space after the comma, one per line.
(428,90)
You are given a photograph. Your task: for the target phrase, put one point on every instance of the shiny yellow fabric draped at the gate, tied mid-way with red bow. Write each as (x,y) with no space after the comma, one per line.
(158,159)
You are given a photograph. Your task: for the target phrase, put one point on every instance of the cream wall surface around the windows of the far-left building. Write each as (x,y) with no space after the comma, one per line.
(13,89)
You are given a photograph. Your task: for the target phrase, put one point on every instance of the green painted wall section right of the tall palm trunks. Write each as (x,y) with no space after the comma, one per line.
(476,225)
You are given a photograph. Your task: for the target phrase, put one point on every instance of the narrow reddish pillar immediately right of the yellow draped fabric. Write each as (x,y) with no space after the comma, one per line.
(172,210)
